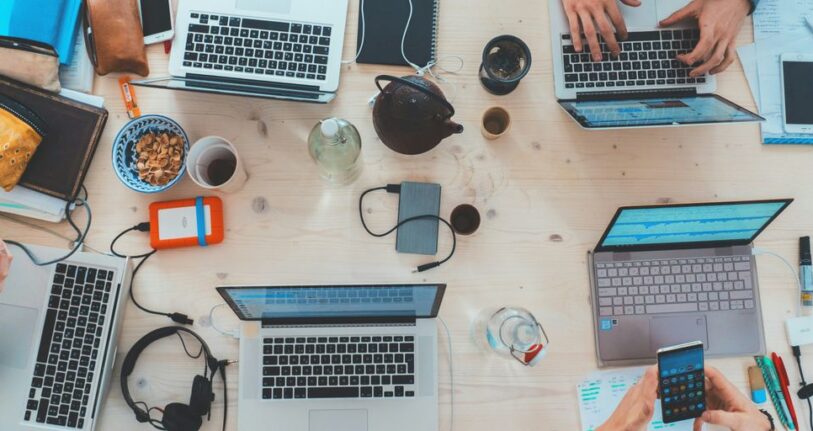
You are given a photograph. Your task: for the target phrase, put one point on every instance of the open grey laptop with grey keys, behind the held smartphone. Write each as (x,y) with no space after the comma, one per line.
(666,275)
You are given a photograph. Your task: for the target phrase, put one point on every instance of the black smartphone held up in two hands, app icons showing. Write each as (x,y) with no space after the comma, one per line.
(682,384)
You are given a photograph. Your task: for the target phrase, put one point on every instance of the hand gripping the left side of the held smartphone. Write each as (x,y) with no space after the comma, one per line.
(635,411)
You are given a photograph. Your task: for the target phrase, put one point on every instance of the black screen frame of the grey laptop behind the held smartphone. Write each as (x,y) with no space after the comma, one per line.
(687,245)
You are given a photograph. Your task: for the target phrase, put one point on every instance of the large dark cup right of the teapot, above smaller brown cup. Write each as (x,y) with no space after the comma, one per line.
(506,60)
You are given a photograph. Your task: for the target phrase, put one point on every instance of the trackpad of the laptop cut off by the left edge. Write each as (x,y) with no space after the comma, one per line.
(16,335)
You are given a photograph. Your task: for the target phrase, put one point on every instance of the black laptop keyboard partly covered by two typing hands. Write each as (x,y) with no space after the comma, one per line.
(647,58)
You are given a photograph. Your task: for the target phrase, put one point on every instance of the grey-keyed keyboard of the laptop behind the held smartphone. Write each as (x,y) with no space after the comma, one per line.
(675,286)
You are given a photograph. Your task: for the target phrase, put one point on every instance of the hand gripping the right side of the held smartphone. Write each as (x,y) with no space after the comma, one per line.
(728,407)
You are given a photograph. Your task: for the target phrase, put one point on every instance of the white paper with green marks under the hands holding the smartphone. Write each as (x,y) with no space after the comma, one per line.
(601,393)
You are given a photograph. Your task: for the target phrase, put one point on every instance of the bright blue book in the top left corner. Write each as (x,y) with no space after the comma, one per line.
(54,22)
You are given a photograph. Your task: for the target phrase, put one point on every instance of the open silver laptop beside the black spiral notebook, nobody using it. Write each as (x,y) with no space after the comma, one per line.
(280,49)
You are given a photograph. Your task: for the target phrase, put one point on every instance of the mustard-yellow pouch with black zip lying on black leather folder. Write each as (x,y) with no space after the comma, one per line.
(21,132)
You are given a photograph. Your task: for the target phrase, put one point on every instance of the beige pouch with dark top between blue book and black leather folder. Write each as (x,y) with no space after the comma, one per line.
(30,62)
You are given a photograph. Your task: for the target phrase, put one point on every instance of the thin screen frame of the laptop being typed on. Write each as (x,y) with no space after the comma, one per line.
(583,122)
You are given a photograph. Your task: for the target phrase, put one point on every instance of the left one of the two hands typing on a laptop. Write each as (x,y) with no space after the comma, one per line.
(584,15)
